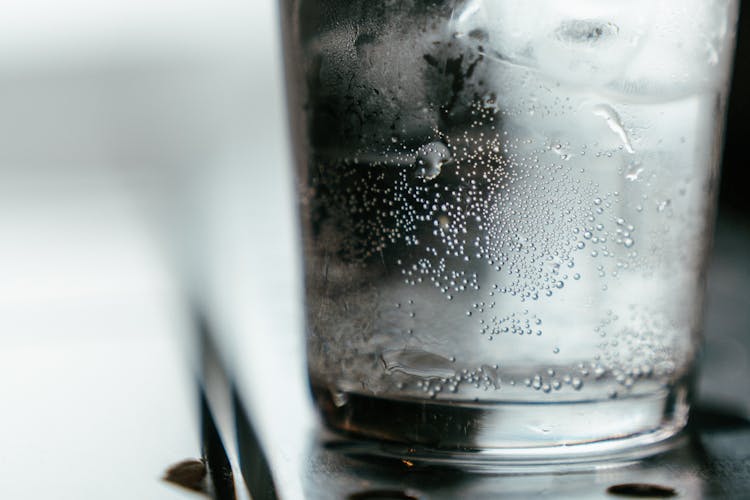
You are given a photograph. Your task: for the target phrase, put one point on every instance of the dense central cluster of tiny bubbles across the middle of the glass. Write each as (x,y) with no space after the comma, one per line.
(473,198)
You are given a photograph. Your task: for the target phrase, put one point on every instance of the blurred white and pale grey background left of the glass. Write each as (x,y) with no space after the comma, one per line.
(142,147)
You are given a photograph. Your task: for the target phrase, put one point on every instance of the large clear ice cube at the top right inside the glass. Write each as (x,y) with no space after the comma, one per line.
(642,49)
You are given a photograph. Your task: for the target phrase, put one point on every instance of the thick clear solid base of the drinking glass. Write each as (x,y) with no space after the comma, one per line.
(507,436)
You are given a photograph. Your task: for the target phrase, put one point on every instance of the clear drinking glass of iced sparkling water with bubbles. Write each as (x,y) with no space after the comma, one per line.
(506,210)
